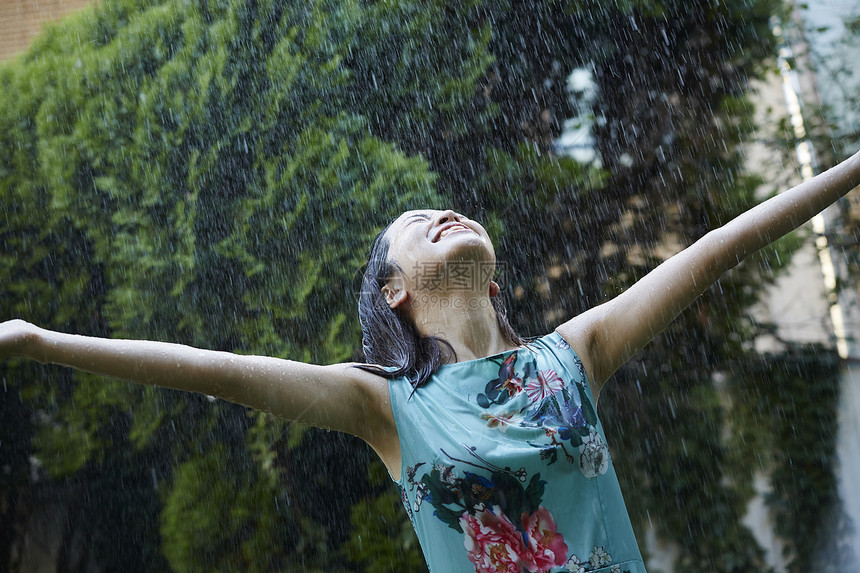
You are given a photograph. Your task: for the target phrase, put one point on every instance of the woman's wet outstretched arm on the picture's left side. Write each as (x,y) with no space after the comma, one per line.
(337,397)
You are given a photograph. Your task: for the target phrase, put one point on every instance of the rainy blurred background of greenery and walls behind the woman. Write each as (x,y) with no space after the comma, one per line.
(212,172)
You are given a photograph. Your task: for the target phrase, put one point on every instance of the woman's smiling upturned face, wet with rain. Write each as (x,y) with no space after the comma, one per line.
(424,242)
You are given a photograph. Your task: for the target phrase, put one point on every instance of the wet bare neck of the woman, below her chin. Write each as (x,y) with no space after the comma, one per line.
(466,321)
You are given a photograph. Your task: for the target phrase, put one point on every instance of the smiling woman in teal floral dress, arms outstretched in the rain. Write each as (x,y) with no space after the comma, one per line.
(495,442)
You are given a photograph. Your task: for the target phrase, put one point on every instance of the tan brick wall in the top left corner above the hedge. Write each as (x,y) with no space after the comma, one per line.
(21,20)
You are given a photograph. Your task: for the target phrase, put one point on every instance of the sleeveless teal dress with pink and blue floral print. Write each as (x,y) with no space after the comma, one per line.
(505,467)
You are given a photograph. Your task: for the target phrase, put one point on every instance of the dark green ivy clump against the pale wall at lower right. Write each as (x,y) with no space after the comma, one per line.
(793,404)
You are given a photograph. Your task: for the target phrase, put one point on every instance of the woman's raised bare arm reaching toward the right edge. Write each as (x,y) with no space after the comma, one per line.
(608,335)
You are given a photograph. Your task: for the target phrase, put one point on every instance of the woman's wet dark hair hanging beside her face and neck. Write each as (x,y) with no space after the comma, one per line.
(392,345)
